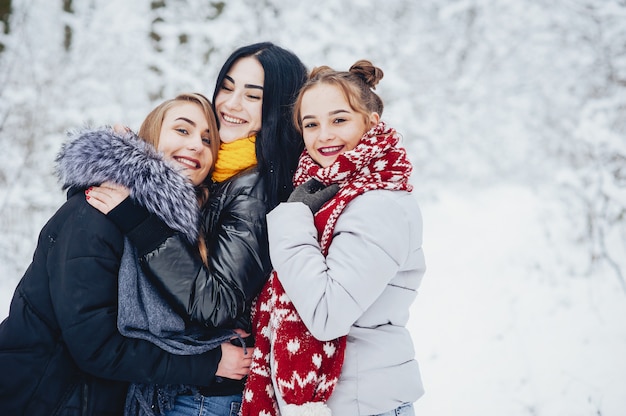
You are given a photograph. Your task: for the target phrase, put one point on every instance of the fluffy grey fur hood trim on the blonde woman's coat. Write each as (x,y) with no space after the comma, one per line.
(93,156)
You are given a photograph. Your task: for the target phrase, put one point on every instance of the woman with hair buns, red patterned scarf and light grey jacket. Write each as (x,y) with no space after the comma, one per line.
(346,248)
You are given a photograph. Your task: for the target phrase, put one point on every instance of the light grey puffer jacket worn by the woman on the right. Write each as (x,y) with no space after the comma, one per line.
(362,289)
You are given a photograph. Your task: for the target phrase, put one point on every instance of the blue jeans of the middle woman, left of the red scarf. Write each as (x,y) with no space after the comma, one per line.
(206,406)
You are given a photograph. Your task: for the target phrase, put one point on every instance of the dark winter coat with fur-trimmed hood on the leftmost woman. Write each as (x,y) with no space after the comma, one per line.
(60,350)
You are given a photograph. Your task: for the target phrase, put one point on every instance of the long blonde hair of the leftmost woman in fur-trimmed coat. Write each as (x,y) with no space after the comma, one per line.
(150,131)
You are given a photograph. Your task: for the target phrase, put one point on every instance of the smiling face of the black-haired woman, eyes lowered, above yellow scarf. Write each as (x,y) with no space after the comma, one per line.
(239,101)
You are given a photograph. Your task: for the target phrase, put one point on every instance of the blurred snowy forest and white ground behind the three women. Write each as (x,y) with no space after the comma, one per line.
(513,111)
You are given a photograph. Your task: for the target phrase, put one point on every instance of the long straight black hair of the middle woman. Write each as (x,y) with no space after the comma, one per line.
(278,144)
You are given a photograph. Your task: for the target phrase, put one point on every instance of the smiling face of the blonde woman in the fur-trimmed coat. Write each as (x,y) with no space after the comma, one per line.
(185,141)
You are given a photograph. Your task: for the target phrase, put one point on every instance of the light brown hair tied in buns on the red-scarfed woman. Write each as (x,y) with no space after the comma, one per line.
(357,85)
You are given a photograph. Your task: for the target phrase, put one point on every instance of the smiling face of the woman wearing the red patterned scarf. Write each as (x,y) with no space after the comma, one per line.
(329,125)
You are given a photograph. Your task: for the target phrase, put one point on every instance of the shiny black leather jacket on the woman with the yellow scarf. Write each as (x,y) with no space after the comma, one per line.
(238,255)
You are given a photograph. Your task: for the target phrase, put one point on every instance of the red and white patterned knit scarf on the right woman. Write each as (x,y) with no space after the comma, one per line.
(304,369)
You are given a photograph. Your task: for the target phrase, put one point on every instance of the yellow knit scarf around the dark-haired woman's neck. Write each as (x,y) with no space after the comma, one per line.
(234,157)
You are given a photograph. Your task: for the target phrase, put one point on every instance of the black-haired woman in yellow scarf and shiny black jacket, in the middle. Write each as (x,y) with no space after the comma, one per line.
(258,155)
